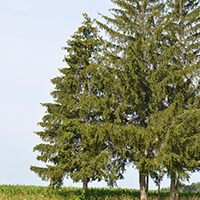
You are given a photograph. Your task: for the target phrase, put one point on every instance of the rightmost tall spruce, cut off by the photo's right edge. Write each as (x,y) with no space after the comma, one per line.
(181,119)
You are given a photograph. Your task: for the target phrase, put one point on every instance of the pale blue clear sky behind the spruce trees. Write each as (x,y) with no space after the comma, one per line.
(32,34)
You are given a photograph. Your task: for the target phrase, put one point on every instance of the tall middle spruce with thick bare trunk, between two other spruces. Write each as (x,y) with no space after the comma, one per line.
(134,55)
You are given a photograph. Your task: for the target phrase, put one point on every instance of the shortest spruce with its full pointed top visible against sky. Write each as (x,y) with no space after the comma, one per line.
(75,142)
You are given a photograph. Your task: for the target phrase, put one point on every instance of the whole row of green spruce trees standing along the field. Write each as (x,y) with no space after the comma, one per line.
(131,98)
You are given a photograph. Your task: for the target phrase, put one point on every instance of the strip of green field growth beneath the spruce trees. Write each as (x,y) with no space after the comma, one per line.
(20,192)
